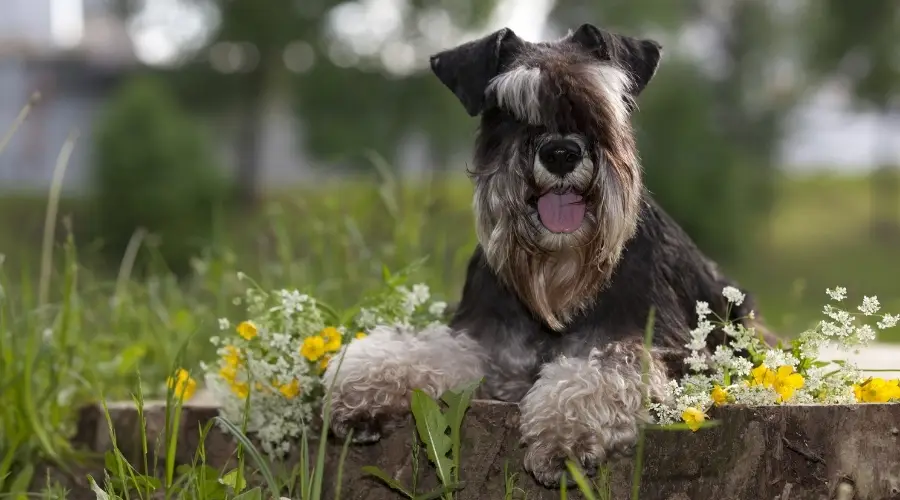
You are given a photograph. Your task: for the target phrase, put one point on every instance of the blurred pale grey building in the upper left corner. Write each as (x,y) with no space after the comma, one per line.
(72,52)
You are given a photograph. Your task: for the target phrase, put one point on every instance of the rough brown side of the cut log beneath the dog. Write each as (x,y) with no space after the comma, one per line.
(759,453)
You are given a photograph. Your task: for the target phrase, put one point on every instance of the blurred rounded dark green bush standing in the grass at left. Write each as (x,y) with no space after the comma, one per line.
(154,170)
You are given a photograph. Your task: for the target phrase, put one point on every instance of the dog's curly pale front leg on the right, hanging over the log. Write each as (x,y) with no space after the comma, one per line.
(587,409)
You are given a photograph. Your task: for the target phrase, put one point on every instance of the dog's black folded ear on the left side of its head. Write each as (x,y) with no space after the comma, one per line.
(468,69)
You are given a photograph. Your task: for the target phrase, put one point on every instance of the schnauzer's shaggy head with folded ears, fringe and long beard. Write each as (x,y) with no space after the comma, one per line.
(558,181)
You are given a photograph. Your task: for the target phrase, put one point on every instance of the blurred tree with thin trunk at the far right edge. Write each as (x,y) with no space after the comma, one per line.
(859,42)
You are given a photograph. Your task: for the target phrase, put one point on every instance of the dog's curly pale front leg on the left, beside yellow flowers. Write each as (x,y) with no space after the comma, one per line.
(373,384)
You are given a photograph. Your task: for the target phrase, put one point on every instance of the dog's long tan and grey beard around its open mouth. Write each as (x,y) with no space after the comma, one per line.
(555,270)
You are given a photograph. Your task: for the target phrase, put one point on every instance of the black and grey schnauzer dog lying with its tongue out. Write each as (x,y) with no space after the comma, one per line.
(573,253)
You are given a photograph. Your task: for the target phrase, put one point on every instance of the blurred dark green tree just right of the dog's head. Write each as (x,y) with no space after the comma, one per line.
(710,124)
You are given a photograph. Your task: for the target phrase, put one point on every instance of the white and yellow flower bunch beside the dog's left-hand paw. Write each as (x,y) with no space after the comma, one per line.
(280,350)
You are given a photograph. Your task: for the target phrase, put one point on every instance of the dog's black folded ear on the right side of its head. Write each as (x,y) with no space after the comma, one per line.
(640,57)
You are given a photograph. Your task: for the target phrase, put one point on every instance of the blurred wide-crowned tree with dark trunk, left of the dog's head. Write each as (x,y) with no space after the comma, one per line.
(286,52)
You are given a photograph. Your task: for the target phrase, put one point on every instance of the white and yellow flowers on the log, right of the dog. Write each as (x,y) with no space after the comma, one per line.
(748,371)
